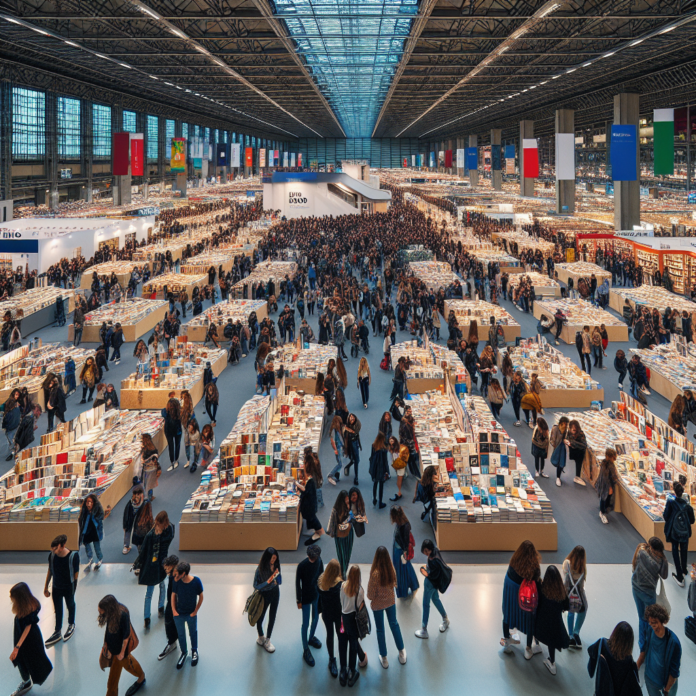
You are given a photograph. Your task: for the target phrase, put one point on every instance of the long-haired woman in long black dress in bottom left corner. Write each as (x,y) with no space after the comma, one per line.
(29,654)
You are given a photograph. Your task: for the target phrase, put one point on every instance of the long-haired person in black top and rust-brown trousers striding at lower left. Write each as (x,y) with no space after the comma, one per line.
(119,642)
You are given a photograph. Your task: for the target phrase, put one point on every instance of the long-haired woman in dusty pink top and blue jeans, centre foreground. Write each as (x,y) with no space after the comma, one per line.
(380,592)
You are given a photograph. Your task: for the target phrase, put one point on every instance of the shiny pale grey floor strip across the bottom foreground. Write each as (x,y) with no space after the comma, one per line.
(466,659)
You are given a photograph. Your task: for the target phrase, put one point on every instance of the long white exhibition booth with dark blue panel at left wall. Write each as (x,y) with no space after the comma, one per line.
(42,242)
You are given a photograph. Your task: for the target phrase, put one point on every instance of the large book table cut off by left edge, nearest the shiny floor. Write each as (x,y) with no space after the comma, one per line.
(97,452)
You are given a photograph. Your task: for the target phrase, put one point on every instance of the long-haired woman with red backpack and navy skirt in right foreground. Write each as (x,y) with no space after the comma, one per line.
(521,598)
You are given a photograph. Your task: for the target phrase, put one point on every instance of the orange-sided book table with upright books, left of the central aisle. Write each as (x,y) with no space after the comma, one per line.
(180,369)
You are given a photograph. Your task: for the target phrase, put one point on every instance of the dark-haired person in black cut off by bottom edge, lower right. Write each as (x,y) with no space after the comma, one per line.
(611,663)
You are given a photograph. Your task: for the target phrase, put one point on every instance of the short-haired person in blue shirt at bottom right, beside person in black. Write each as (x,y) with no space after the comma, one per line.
(661,654)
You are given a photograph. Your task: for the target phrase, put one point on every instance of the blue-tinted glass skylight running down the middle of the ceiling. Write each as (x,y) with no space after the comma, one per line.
(352,49)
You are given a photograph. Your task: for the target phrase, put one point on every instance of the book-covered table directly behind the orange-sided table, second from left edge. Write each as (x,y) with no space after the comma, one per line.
(136,316)
